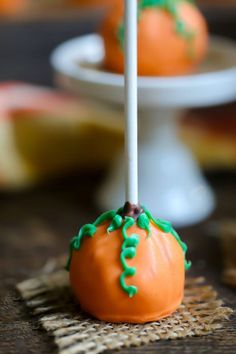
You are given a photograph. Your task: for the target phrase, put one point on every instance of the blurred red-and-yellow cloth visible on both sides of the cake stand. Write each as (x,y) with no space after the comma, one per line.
(44,133)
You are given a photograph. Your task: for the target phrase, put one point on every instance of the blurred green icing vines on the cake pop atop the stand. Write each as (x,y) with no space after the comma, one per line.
(171,6)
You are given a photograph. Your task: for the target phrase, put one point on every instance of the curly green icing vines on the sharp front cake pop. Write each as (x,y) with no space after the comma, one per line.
(130,243)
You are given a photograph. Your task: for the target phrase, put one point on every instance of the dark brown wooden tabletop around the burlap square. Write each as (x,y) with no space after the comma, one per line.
(38,224)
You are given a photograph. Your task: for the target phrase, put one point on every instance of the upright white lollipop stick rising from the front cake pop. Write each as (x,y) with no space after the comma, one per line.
(131,125)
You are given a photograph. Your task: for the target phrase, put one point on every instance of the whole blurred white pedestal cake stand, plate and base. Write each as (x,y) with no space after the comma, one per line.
(171,183)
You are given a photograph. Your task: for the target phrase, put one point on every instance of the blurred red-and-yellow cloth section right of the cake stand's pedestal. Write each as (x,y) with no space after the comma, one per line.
(211,135)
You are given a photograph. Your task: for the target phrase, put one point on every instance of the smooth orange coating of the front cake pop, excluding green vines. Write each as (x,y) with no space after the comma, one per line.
(95,271)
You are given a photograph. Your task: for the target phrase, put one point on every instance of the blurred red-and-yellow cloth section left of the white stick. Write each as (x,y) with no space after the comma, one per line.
(43,133)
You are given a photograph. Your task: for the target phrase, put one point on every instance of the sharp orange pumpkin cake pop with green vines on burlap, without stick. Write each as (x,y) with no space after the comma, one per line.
(128,267)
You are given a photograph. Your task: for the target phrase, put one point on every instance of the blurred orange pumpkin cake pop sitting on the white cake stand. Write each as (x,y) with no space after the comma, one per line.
(172,37)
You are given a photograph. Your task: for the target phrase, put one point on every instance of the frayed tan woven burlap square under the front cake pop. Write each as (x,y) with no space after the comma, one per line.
(48,296)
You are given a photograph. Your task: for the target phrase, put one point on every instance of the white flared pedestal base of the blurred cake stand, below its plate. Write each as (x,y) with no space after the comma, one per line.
(170,181)
